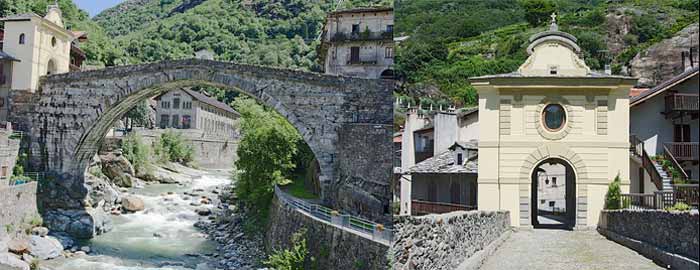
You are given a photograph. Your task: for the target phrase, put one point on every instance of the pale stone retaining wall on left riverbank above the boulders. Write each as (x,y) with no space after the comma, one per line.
(17,206)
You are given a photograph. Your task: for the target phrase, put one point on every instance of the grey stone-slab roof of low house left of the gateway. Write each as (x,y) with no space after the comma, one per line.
(445,163)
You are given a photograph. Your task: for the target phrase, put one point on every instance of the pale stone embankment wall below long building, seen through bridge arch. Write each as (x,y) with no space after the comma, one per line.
(209,152)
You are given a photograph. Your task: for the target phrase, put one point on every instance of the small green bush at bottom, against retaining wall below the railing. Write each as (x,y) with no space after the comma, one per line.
(293,258)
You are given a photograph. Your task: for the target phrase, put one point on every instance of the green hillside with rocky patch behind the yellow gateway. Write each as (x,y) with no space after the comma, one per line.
(451,41)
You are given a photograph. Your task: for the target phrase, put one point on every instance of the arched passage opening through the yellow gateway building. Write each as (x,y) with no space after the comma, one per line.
(553,195)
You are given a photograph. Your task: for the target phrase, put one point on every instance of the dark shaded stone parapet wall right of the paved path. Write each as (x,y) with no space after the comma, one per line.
(658,234)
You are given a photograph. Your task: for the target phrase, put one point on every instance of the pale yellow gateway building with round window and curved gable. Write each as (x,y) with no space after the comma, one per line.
(553,111)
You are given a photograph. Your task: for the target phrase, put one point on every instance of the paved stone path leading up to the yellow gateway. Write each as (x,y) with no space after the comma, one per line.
(560,249)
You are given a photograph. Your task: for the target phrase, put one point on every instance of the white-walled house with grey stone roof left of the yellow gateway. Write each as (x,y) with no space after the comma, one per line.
(439,161)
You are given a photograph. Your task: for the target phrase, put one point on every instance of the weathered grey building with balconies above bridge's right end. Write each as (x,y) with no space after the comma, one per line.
(358,43)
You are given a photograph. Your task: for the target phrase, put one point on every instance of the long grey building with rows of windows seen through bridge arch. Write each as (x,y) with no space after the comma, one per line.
(188,109)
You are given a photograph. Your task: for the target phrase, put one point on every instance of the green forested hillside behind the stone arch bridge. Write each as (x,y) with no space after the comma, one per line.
(279,33)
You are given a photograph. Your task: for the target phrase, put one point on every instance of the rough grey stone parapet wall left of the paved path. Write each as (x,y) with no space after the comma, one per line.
(449,241)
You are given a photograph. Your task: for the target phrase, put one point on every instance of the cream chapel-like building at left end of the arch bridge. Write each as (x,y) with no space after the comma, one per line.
(34,46)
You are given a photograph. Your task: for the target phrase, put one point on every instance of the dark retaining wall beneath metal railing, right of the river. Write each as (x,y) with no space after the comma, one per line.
(332,247)
